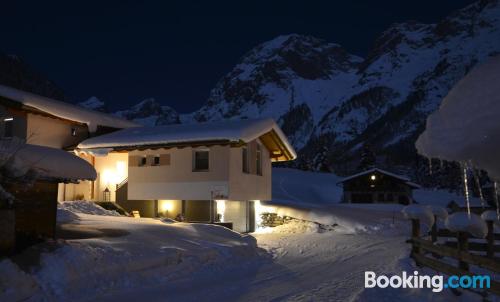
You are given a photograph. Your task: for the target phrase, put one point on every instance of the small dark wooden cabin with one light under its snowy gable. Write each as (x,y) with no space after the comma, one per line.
(377,186)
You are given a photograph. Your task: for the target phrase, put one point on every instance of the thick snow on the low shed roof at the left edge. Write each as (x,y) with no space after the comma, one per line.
(50,164)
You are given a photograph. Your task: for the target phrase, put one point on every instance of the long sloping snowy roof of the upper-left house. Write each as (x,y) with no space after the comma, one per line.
(65,110)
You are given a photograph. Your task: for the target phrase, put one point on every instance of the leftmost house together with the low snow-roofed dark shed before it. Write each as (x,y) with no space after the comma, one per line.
(47,125)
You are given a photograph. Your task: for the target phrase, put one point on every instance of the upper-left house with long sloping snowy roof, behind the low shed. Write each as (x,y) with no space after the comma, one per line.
(46,122)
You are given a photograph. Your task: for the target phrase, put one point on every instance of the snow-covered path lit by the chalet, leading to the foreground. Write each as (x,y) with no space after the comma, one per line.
(305,264)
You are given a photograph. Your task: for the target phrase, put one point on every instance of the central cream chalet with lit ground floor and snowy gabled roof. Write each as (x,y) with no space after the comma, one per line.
(208,172)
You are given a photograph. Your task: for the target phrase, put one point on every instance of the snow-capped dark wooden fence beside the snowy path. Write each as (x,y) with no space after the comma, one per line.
(437,251)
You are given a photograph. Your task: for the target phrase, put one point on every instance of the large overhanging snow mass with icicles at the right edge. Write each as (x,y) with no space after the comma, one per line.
(466,127)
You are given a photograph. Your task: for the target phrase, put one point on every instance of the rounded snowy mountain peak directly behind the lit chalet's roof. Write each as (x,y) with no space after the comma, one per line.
(293,78)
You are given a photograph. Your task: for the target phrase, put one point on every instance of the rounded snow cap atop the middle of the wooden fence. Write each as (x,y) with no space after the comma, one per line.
(470,223)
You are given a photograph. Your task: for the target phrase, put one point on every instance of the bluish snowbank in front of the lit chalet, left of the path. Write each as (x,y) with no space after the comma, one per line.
(131,253)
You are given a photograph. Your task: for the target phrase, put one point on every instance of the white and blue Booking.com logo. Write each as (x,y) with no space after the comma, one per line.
(436,282)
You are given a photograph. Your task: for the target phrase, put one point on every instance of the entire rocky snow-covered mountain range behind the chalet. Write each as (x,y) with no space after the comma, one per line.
(330,102)
